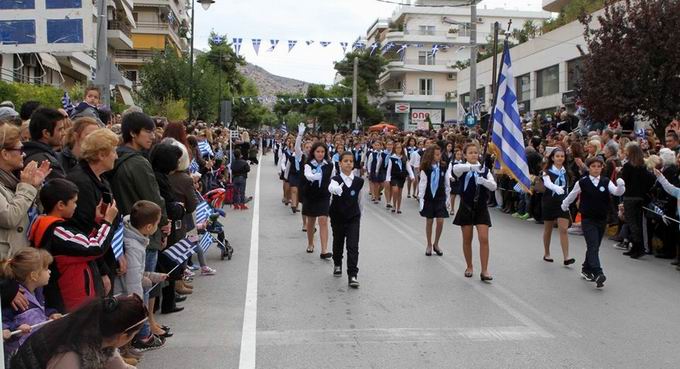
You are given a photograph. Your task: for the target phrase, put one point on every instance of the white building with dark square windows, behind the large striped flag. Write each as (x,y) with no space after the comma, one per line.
(546,69)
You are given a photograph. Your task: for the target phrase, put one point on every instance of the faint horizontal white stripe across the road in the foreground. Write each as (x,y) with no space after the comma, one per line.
(396,335)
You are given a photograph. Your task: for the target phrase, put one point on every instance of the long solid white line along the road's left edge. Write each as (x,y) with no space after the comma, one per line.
(249,331)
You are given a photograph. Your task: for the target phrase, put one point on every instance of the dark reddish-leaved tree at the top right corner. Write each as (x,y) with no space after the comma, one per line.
(630,69)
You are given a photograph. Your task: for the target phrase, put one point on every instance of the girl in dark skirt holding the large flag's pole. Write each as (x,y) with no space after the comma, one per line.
(476,182)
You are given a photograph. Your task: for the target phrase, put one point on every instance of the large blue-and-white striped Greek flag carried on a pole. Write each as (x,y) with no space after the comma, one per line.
(507,140)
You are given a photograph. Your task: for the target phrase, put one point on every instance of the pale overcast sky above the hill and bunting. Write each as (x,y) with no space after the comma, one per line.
(319,20)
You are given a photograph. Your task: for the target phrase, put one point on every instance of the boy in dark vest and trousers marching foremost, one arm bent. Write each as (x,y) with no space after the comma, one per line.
(345,212)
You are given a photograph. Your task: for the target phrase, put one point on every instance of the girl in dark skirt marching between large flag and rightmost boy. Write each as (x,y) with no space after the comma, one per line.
(556,183)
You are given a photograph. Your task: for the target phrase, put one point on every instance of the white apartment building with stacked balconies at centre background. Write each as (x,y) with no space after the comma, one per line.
(420,83)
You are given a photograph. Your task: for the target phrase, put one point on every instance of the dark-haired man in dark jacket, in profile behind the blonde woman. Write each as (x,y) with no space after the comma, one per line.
(47,131)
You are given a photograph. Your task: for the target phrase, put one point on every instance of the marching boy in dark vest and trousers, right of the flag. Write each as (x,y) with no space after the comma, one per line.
(596,192)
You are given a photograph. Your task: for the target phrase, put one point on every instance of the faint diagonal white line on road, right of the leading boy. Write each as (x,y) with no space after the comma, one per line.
(483,290)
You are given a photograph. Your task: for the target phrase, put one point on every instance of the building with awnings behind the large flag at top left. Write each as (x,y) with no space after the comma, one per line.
(64,69)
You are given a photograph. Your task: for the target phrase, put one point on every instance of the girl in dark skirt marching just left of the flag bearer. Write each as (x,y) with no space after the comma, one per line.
(432,191)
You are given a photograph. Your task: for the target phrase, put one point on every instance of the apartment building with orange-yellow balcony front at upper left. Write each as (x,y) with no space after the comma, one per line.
(160,24)
